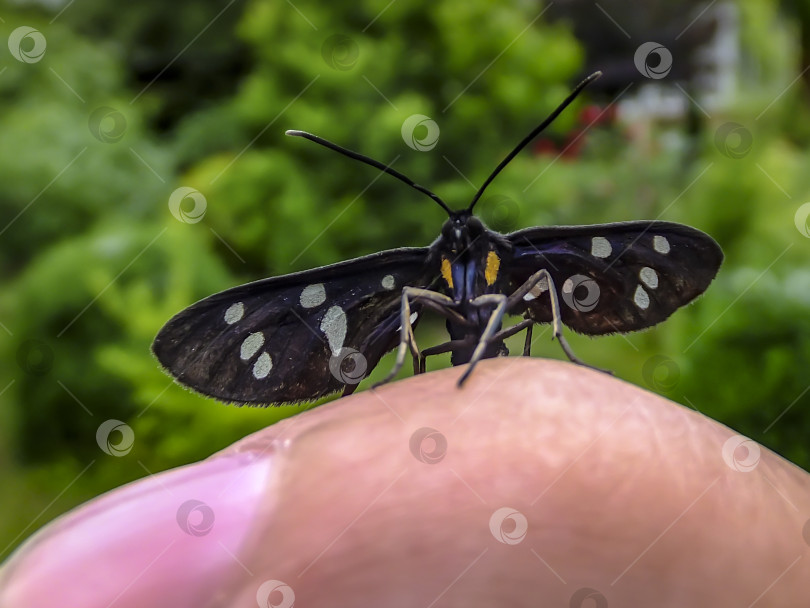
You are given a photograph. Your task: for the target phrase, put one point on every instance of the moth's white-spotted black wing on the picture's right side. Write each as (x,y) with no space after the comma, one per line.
(613,277)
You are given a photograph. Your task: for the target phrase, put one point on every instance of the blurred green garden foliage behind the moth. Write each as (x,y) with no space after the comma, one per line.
(131,102)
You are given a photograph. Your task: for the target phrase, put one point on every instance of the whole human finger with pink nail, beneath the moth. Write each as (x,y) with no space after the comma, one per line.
(627,499)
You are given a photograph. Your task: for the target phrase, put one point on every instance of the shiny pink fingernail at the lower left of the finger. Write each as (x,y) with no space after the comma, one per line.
(173,539)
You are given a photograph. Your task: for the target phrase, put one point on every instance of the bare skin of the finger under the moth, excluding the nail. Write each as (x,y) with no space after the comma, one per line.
(621,491)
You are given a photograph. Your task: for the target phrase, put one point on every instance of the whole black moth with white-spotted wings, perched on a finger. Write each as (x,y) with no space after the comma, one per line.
(305,335)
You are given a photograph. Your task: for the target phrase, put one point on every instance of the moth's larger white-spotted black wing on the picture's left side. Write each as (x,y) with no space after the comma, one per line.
(295,337)
